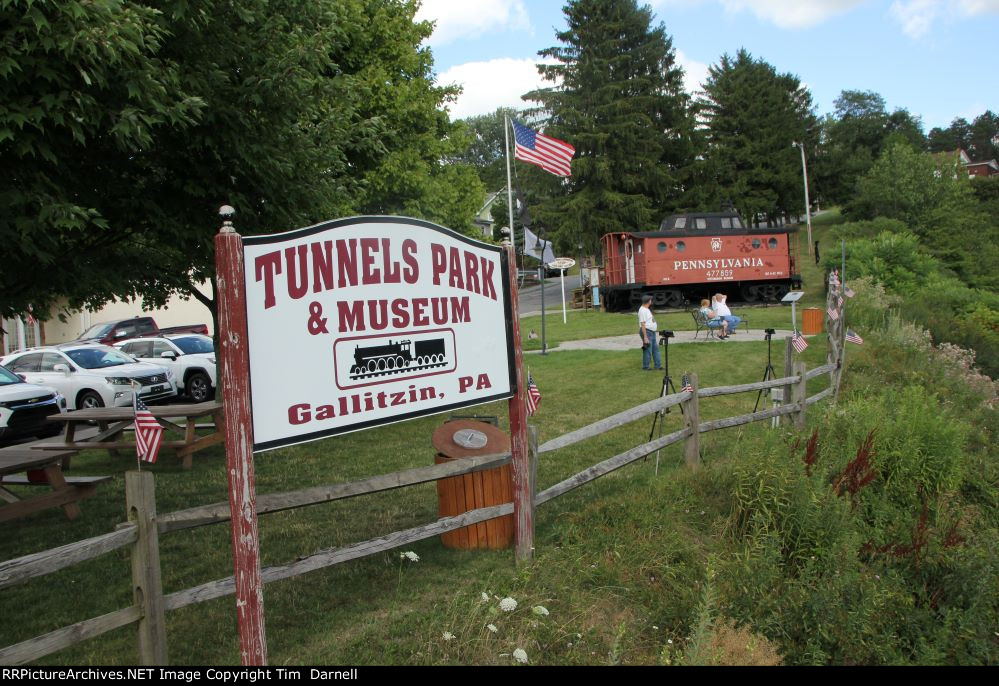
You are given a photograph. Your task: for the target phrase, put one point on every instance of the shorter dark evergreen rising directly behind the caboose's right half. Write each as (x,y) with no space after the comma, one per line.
(752,115)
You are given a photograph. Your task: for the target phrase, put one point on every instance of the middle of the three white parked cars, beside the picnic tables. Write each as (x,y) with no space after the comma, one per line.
(92,375)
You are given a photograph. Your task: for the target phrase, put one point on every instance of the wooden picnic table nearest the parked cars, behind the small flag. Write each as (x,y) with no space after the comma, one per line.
(113,421)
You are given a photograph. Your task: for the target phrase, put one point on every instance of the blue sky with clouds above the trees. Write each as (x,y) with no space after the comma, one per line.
(936,58)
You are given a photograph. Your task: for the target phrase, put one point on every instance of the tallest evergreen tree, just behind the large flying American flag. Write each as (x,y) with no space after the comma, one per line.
(618,98)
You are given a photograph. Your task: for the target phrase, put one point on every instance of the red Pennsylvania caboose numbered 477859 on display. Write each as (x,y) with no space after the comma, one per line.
(696,254)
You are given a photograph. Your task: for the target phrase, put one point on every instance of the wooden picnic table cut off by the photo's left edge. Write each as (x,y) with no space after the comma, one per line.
(41,468)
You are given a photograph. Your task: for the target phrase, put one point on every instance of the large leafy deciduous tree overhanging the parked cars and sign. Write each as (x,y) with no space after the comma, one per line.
(324,108)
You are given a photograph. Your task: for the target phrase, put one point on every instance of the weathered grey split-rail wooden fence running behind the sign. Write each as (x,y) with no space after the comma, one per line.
(144,526)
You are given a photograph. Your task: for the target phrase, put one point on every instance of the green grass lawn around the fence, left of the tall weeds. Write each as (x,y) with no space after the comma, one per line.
(619,562)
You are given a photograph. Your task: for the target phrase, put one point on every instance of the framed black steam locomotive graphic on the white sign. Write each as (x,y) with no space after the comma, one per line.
(364,361)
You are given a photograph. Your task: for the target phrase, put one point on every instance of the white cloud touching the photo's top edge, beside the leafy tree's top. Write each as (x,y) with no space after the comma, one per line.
(457,19)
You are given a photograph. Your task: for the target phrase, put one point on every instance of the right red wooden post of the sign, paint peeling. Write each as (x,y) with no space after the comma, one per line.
(523,498)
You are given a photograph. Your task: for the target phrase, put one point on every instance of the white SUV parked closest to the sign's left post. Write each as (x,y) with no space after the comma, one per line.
(191,358)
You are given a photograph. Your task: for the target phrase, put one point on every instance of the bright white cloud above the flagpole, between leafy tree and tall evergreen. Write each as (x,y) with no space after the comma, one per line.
(492,84)
